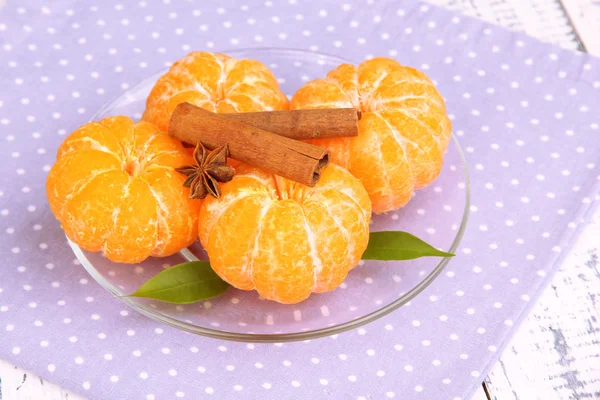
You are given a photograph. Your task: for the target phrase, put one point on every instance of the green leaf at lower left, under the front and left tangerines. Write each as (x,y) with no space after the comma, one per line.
(183,284)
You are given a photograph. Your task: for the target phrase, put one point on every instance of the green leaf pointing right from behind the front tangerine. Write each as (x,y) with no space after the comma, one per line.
(398,245)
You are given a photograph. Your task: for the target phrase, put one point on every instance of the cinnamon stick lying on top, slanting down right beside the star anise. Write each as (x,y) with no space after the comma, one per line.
(292,159)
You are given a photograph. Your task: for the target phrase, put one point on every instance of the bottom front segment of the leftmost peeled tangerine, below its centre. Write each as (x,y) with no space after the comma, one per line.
(134,233)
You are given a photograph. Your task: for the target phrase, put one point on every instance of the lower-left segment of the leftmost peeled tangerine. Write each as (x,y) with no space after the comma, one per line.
(90,213)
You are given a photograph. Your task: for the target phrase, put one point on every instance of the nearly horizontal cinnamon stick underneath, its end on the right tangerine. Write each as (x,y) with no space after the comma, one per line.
(304,124)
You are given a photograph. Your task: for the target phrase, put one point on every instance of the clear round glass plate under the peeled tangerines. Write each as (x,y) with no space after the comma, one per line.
(438,214)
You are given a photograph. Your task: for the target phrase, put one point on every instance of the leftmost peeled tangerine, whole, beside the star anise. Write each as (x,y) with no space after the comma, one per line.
(114,188)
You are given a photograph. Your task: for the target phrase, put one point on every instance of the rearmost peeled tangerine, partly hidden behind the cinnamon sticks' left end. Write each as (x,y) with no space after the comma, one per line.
(216,82)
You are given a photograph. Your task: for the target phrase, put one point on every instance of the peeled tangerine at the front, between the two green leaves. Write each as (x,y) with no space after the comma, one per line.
(282,238)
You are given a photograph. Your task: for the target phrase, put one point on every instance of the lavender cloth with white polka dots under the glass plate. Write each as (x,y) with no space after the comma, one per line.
(526,114)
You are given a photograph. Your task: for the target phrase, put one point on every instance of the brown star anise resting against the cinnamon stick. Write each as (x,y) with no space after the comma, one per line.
(210,169)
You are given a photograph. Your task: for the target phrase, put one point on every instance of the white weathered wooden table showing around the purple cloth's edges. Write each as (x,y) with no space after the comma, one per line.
(555,355)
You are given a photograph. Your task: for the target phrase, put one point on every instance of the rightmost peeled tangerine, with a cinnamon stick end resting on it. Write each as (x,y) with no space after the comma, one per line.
(403,133)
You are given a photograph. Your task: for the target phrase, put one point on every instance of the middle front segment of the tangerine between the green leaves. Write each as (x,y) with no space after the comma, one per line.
(285,261)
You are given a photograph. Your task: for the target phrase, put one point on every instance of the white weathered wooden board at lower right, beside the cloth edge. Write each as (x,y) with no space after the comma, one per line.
(555,355)
